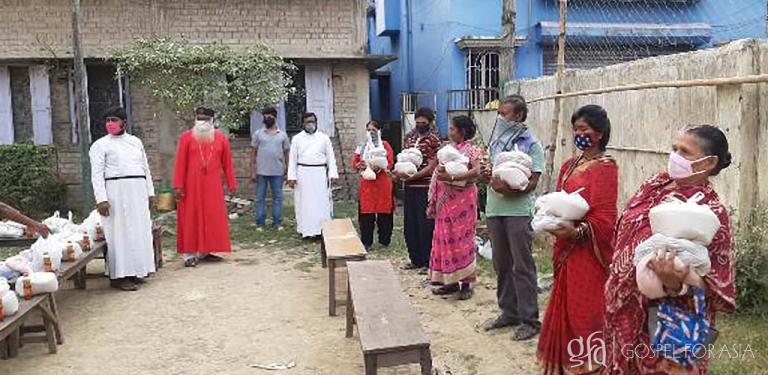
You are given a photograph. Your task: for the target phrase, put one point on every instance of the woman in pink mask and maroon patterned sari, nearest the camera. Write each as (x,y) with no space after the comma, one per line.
(699,152)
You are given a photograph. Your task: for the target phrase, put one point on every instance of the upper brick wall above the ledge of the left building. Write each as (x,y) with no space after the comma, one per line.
(294,28)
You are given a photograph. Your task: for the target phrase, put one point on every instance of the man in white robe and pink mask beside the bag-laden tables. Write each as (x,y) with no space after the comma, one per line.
(122,184)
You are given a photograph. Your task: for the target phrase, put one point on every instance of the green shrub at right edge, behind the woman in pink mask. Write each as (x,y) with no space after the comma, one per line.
(752,263)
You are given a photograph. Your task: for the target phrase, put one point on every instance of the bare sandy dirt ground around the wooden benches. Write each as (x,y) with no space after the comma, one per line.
(262,305)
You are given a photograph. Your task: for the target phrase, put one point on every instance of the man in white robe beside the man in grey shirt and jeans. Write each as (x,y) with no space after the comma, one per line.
(311,168)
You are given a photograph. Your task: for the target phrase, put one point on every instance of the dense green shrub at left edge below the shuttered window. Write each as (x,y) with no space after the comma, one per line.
(29,180)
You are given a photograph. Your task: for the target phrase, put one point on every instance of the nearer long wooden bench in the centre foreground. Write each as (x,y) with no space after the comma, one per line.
(389,329)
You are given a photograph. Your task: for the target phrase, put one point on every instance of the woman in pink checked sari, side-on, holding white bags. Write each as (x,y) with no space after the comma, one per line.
(454,208)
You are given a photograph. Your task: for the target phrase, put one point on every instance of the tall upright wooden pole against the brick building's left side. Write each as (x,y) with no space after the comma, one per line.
(81,110)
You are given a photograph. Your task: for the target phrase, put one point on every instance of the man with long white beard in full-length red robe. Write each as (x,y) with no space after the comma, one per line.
(203,153)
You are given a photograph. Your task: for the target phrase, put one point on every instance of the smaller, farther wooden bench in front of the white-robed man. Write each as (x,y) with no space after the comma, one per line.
(339,244)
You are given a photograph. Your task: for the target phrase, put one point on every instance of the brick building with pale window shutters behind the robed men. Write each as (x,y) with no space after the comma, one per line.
(326,39)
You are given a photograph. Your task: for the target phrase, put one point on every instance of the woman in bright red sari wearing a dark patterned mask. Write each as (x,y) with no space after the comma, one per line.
(583,249)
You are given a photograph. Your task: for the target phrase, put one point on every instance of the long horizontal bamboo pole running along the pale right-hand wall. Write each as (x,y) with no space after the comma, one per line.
(757,78)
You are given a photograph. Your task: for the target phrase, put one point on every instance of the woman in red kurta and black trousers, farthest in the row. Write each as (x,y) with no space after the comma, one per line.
(376,201)
